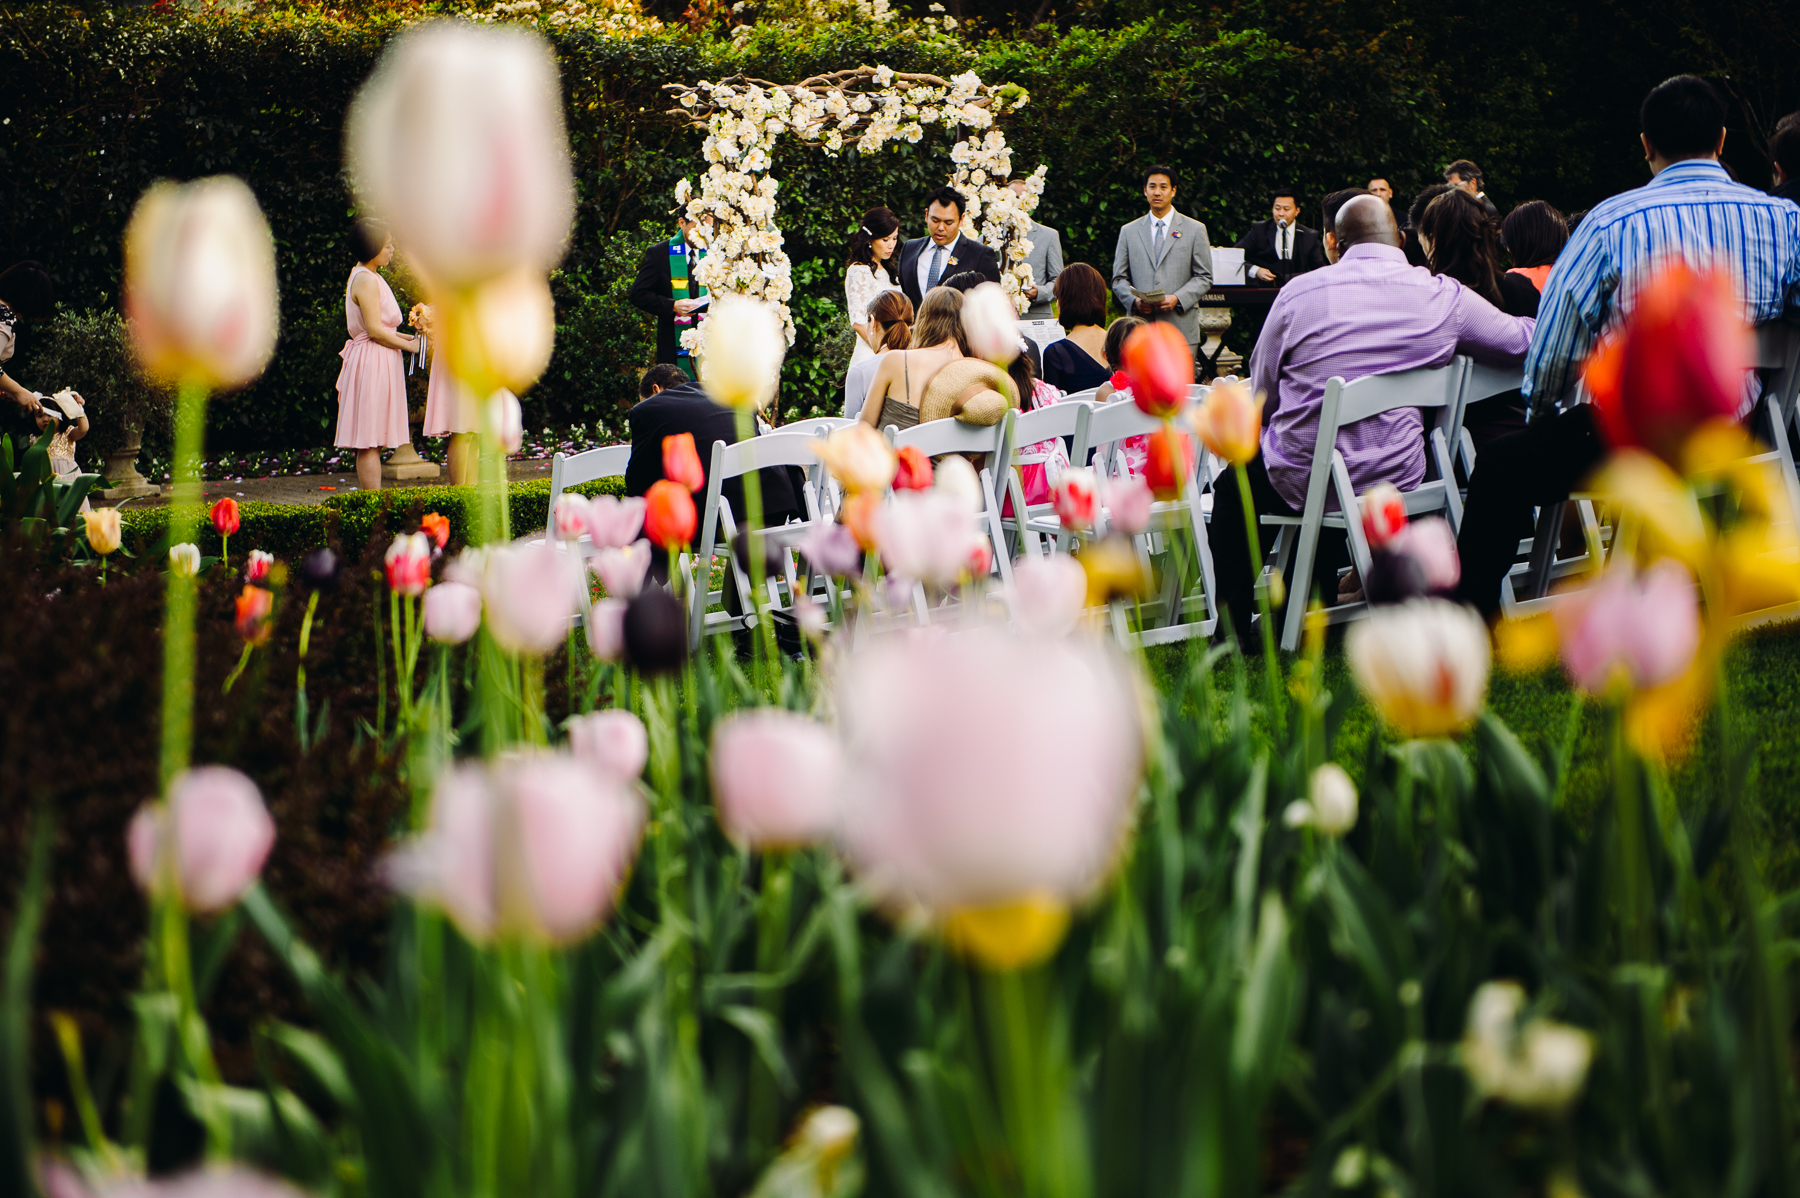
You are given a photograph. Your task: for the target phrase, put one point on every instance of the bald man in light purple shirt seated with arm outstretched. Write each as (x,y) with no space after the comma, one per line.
(1365,314)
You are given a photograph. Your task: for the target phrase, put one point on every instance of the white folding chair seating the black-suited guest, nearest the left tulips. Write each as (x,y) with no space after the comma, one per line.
(721,524)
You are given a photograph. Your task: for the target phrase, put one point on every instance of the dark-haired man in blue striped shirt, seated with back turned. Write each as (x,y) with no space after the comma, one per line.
(1691,208)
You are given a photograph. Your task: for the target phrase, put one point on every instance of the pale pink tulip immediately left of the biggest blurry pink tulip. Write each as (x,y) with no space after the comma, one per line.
(775,780)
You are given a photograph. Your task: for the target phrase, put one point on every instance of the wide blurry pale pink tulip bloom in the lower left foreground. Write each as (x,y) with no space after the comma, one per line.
(534,846)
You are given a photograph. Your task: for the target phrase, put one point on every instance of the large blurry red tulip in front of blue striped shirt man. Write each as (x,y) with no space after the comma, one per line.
(1677,362)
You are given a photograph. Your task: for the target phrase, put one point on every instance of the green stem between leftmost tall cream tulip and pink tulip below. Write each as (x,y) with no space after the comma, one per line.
(183,600)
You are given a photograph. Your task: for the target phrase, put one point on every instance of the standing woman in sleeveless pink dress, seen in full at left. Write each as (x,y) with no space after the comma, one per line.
(373,382)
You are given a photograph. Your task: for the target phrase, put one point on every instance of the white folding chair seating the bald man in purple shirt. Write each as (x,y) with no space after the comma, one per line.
(1344,406)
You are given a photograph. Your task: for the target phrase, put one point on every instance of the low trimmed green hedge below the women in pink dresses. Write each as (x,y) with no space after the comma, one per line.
(346,523)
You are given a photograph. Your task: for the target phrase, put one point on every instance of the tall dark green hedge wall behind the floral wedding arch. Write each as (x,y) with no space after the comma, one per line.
(103,102)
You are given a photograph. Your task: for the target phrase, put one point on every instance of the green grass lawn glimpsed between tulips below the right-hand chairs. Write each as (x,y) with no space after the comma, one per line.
(1763,679)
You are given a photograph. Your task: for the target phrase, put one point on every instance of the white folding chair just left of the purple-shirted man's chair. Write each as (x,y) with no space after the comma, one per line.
(1169,616)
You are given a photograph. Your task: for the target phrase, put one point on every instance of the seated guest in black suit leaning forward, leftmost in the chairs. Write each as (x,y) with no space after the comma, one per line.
(670,406)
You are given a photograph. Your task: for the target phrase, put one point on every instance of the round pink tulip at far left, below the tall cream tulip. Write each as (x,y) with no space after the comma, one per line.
(210,839)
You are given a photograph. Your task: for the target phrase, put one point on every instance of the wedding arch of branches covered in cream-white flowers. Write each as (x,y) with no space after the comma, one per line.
(867,109)
